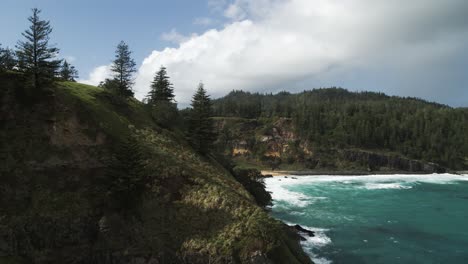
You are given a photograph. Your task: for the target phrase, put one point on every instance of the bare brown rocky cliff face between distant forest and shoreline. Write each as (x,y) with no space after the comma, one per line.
(268,140)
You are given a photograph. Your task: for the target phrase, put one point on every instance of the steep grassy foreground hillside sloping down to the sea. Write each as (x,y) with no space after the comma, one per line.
(65,196)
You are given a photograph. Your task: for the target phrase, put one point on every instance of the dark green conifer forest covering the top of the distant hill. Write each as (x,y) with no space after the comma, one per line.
(335,117)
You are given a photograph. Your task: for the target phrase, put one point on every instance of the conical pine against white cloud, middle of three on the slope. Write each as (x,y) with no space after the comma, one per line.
(161,88)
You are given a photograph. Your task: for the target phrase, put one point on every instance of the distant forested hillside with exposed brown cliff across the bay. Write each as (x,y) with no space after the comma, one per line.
(334,129)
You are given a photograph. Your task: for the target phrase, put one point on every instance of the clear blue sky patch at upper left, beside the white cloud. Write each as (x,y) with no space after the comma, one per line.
(89,30)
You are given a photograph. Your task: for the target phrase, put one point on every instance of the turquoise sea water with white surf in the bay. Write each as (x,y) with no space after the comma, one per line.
(378,218)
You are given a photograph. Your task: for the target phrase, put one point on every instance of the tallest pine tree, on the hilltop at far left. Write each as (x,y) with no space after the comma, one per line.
(36,58)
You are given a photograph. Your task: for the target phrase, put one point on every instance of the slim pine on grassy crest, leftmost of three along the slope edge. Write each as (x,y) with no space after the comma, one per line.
(124,68)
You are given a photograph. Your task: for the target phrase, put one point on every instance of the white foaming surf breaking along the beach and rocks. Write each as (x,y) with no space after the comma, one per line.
(283,190)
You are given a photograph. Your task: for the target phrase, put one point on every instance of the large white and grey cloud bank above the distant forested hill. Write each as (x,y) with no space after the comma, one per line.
(409,48)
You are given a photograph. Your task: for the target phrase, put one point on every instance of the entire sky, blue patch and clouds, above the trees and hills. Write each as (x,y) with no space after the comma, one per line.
(408,48)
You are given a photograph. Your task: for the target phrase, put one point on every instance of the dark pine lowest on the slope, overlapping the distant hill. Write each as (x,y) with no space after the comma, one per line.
(201,126)
